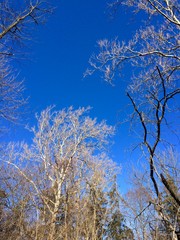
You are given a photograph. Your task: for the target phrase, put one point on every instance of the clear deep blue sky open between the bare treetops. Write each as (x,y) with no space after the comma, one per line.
(58,57)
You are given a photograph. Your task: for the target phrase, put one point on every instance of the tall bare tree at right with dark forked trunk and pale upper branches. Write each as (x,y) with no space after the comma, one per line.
(153,53)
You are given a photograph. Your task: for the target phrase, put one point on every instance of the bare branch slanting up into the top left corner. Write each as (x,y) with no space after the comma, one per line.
(16,21)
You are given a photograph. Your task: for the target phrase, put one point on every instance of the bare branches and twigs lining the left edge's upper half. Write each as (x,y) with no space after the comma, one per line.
(16,21)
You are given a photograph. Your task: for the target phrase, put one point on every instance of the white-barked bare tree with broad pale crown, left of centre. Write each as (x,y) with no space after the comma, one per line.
(68,176)
